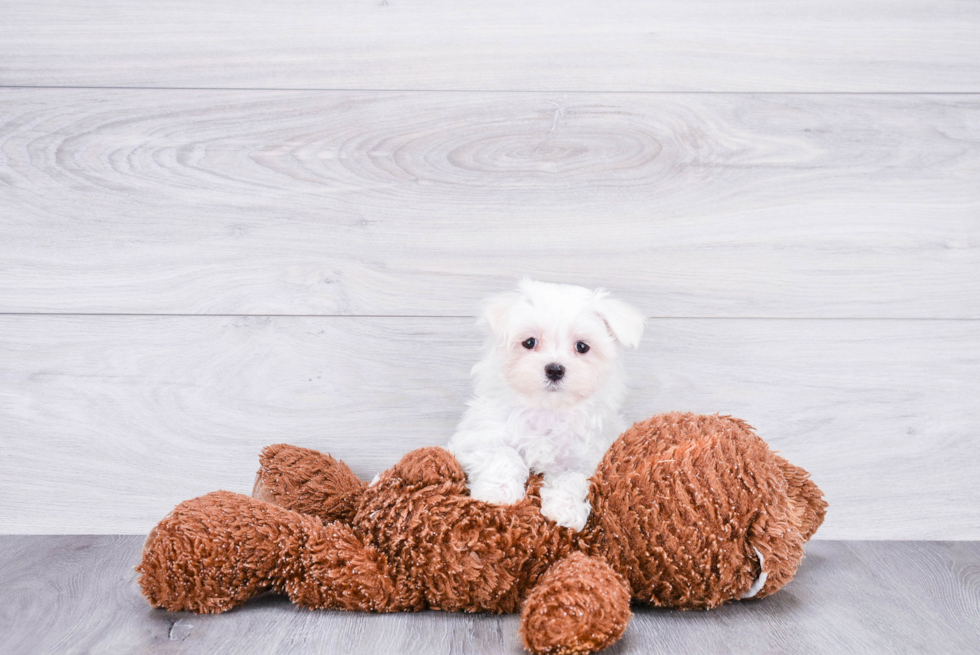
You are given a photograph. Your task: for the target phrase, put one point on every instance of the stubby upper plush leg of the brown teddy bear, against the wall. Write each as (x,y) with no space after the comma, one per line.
(307,482)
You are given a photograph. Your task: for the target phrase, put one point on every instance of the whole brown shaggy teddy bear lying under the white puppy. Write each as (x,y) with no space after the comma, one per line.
(688,511)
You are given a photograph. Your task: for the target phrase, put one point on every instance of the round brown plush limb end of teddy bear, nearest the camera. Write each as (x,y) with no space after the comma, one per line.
(580,605)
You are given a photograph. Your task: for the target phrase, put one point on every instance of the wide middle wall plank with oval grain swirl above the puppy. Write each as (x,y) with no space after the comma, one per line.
(421,204)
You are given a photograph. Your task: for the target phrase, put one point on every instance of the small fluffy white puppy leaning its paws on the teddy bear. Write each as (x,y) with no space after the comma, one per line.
(548,393)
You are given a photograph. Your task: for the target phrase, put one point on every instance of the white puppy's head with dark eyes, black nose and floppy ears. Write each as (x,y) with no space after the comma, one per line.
(556,345)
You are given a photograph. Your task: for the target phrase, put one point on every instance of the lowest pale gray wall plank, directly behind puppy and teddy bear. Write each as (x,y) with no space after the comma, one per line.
(111,421)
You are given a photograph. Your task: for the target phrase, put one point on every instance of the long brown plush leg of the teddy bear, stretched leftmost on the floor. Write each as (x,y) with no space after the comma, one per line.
(215,552)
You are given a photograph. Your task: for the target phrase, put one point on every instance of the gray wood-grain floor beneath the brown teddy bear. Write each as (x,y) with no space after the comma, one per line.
(77,594)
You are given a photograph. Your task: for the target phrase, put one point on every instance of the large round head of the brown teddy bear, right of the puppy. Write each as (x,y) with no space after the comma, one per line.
(684,509)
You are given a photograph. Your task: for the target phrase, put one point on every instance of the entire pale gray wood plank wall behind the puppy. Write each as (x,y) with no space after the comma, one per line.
(222,227)
